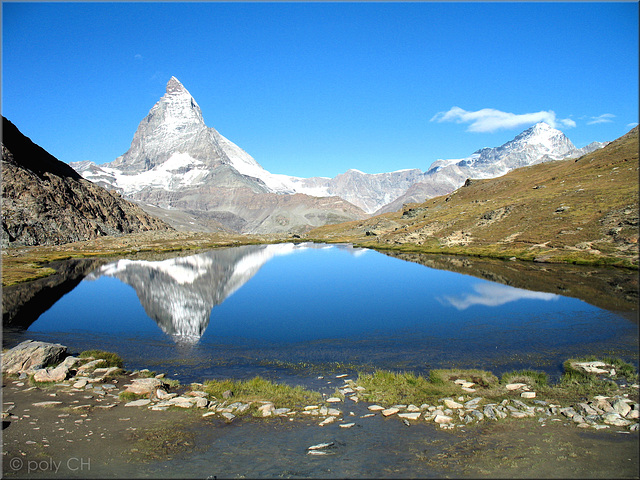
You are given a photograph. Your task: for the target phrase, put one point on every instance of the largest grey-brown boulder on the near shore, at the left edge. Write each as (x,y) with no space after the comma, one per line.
(29,356)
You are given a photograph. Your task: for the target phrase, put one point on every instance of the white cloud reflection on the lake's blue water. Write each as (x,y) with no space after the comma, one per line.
(493,295)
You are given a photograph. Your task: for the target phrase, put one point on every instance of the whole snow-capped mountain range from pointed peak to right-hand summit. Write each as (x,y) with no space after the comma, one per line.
(195,179)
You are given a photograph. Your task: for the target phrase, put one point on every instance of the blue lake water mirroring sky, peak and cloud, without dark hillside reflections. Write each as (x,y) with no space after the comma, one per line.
(281,310)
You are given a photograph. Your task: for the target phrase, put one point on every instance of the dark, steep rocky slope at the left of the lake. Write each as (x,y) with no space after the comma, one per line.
(46,202)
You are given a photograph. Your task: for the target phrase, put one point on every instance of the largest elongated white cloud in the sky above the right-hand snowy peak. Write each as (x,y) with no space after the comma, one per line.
(489,120)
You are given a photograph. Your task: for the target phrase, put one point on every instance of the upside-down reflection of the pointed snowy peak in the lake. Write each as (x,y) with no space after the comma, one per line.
(179,293)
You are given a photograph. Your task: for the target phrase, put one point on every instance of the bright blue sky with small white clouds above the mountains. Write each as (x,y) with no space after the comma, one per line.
(317,88)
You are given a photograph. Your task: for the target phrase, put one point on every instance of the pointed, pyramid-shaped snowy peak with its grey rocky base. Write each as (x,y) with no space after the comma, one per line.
(178,164)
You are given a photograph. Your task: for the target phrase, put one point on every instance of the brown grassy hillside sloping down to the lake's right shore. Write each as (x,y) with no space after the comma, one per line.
(577,211)
